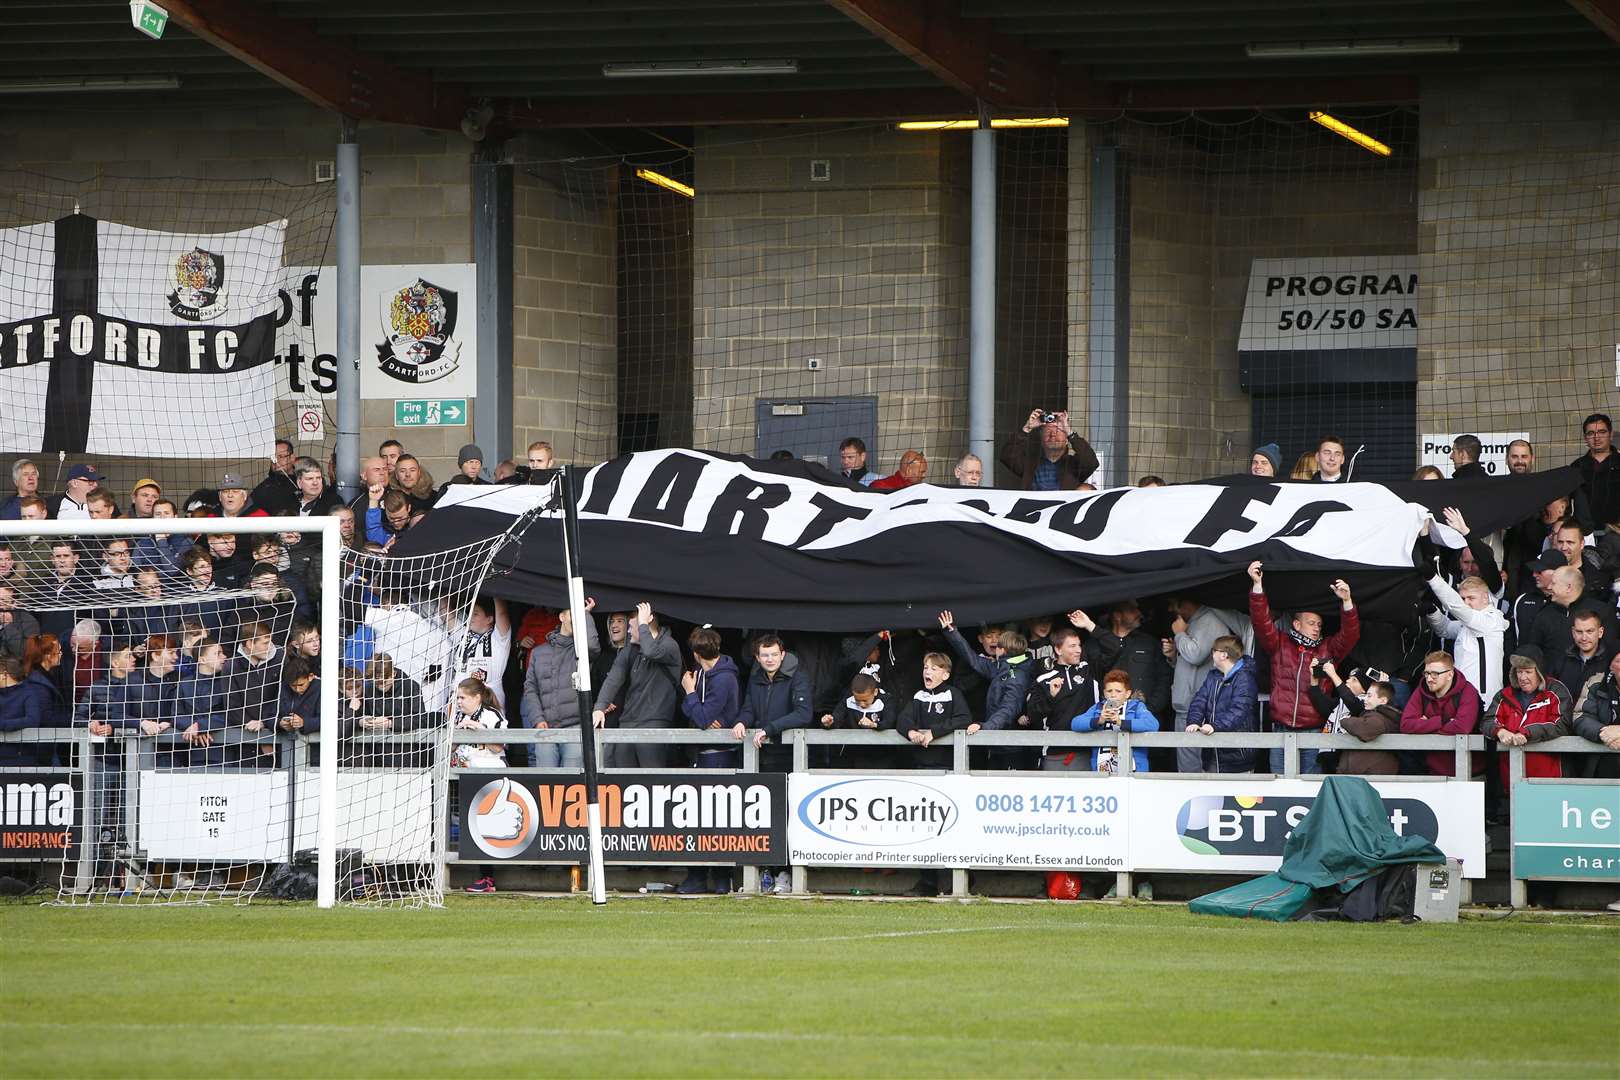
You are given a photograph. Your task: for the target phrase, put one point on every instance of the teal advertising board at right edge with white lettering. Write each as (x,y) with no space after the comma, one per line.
(1567,830)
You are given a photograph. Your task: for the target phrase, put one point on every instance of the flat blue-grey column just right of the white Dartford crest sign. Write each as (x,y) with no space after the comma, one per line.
(493,258)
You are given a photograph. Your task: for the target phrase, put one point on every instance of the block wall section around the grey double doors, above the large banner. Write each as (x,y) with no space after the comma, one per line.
(866,273)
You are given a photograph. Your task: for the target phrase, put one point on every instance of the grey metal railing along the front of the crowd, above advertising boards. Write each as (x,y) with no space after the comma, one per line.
(140,752)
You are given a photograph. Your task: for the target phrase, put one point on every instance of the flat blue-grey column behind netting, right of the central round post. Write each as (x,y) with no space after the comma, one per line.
(1109,398)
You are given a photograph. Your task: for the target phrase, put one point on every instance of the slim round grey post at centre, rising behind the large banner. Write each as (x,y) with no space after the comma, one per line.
(983,292)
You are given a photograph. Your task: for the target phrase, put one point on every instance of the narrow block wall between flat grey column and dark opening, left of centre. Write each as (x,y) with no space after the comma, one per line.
(565,312)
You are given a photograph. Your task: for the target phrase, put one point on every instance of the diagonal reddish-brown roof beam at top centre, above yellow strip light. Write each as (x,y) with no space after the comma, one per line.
(966,54)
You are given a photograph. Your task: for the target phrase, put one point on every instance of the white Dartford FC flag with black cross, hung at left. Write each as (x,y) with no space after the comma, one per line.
(135,342)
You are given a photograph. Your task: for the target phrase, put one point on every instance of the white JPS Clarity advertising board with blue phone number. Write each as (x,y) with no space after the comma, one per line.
(966,822)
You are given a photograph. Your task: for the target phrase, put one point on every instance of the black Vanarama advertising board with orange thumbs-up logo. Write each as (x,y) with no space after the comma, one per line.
(647,819)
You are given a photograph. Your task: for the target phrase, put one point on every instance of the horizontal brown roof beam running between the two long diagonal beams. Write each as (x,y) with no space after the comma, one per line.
(720,109)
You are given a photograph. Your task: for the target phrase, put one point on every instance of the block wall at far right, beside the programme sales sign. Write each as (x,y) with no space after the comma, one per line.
(1519,213)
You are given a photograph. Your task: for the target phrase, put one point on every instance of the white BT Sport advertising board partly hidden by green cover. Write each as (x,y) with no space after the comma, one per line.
(1238,827)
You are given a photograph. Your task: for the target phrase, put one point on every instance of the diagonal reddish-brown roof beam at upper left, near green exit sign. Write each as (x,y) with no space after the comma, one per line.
(318,69)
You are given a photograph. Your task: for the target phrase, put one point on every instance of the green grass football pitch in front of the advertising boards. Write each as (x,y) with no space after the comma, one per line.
(782,987)
